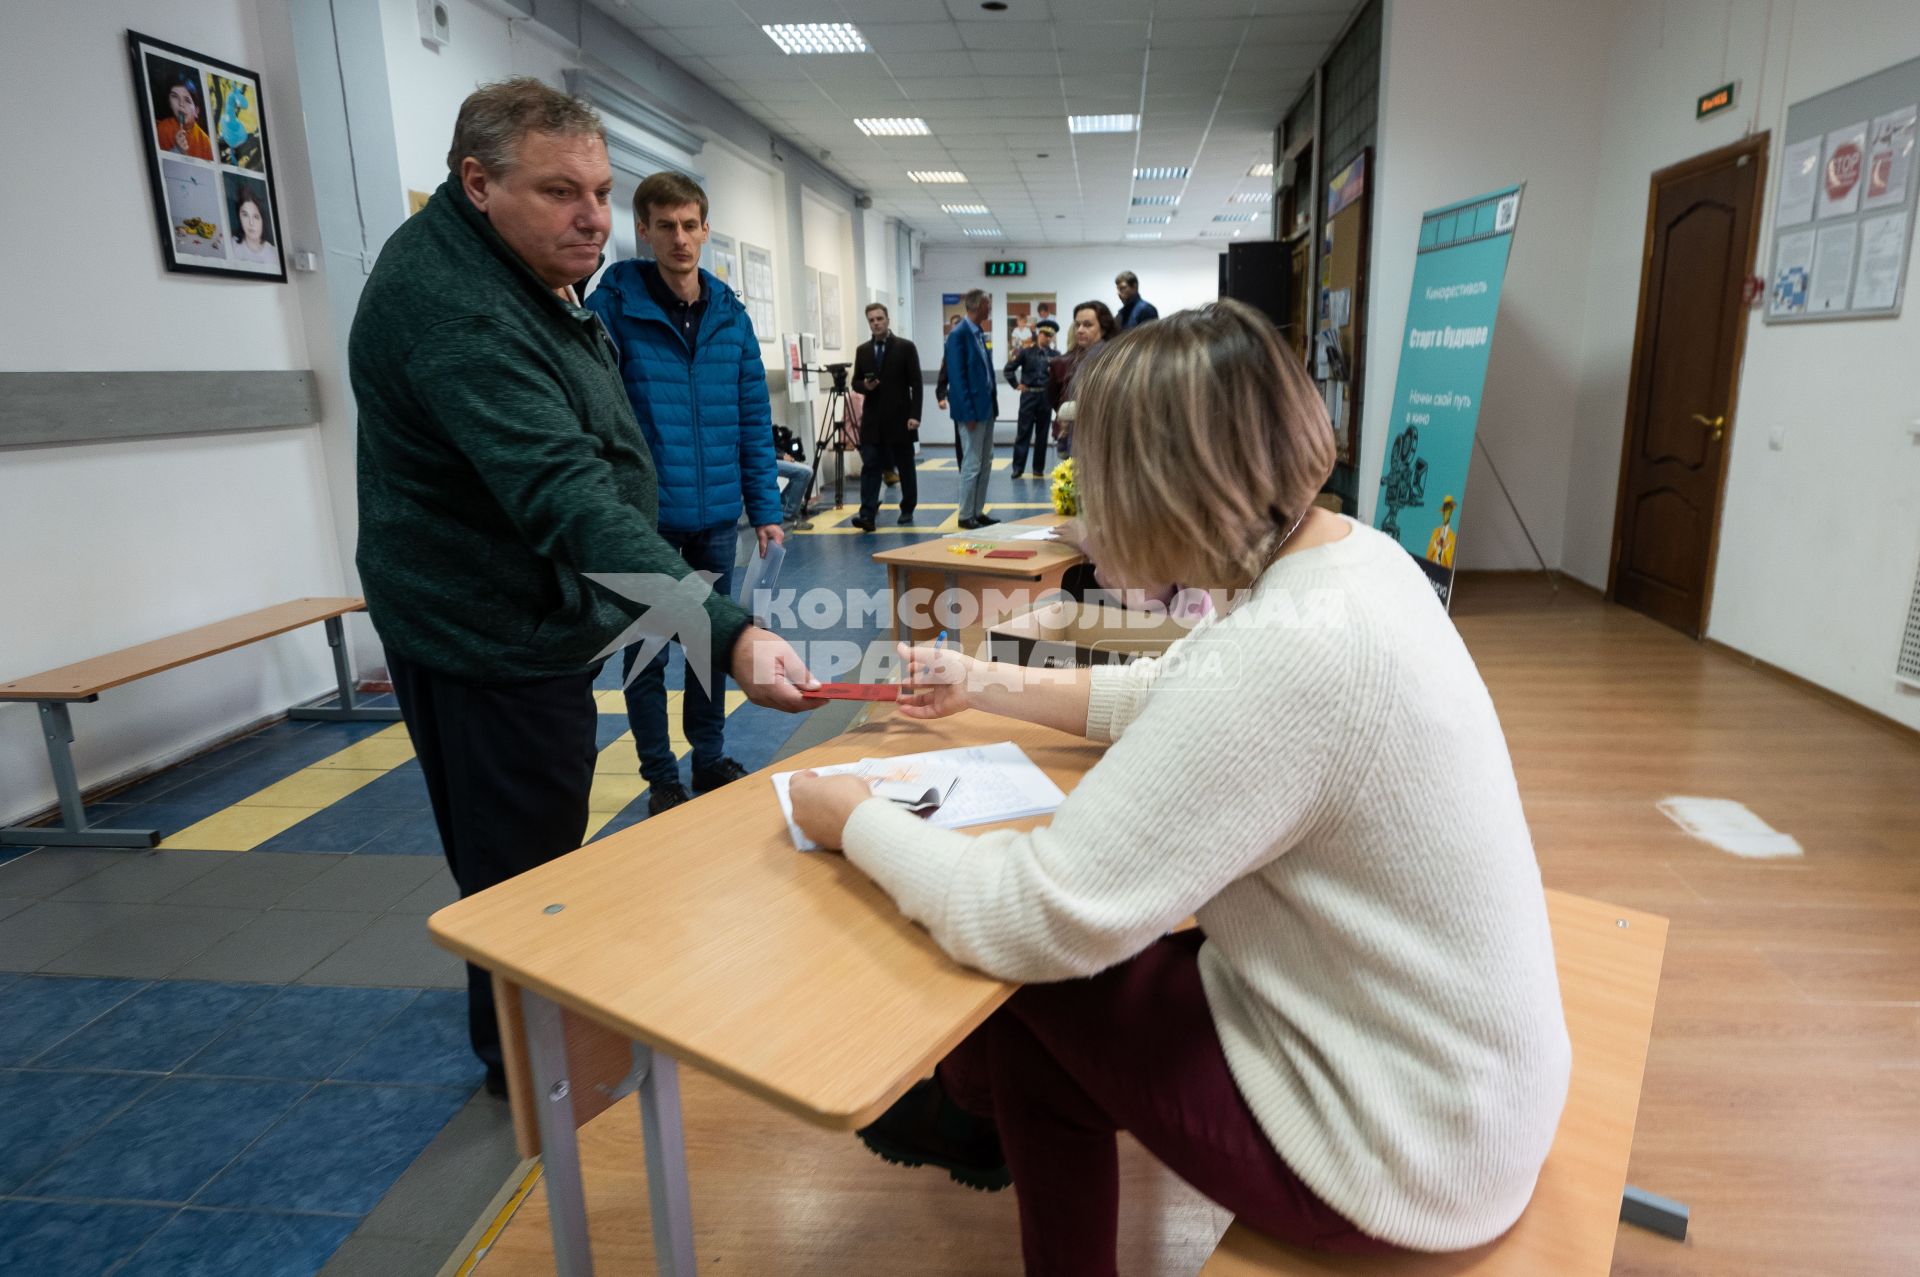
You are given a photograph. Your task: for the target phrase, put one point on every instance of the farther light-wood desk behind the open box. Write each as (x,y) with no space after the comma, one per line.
(1001,587)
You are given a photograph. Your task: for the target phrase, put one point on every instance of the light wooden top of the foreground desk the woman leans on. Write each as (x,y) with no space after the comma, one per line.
(706,934)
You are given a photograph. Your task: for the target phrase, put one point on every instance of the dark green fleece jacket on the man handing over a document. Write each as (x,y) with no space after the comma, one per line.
(500,464)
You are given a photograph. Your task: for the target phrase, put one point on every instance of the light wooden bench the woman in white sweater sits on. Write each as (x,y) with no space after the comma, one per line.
(1610,969)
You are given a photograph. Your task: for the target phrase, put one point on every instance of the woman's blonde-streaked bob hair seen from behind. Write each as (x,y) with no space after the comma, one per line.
(1197,446)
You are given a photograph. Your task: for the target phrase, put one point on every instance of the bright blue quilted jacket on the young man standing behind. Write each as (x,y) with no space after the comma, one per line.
(706,418)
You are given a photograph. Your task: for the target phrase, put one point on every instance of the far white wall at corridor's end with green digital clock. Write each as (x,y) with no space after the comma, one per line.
(1172,277)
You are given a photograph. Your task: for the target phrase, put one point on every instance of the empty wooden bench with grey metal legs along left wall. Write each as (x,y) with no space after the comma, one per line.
(57,690)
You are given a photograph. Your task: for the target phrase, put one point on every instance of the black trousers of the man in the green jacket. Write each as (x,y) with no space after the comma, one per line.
(508,769)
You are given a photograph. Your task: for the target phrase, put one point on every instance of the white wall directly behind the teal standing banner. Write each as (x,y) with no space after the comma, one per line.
(1481,95)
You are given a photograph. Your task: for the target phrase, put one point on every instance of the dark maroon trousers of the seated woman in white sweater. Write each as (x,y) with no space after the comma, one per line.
(1063,1069)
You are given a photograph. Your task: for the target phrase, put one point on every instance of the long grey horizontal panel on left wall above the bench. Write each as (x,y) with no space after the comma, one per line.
(85,408)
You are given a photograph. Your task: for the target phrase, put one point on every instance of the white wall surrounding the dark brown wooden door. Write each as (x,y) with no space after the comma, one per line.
(1817,541)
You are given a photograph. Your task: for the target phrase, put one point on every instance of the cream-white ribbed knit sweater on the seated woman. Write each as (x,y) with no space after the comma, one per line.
(1322,779)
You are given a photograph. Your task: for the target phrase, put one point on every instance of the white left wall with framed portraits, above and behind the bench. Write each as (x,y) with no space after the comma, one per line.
(112,544)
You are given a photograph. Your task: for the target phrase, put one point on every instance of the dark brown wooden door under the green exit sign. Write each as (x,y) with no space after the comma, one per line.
(1702,228)
